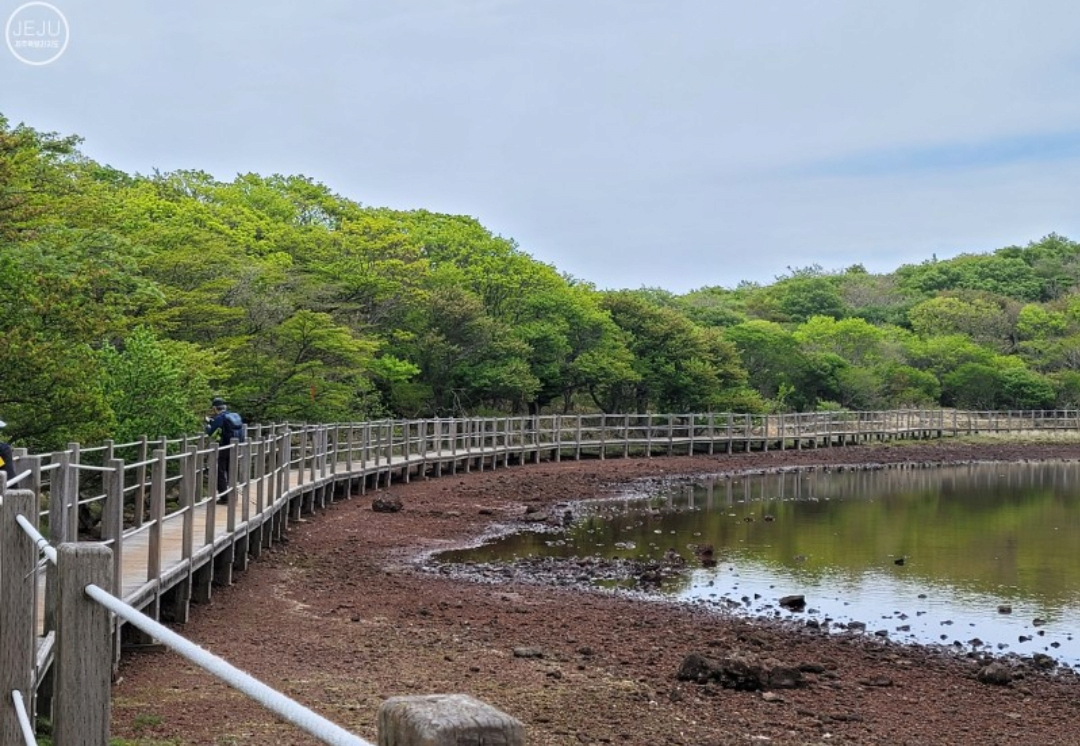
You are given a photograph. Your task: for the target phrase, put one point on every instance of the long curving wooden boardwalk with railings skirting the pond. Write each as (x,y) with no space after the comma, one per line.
(154,504)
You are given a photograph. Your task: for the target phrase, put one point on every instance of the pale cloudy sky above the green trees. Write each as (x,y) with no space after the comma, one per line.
(671,144)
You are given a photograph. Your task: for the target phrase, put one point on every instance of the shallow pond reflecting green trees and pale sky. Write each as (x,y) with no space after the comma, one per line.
(977,558)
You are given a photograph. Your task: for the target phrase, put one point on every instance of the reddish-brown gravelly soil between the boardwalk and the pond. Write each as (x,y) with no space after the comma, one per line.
(342,617)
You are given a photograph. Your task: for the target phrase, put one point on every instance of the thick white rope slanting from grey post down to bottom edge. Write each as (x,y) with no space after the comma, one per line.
(283,707)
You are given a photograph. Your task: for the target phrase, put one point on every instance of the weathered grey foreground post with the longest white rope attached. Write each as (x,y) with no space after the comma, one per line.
(84,649)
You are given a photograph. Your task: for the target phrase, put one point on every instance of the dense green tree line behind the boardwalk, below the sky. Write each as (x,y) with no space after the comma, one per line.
(129,301)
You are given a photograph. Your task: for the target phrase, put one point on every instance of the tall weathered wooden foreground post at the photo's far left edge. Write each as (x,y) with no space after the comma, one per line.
(19,557)
